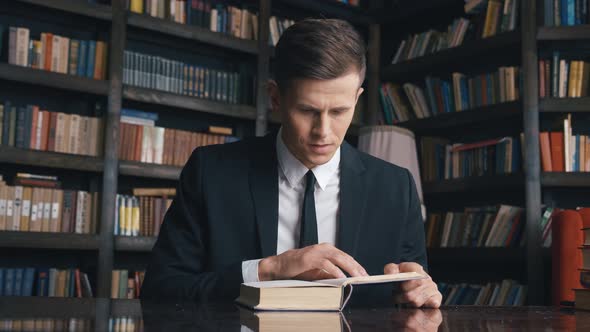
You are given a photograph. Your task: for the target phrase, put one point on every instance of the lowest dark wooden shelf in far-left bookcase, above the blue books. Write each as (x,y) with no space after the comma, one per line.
(42,240)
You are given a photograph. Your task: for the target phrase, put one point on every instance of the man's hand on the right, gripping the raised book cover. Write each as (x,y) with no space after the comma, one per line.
(418,293)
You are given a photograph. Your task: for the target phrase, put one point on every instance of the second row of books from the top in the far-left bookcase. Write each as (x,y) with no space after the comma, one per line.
(30,127)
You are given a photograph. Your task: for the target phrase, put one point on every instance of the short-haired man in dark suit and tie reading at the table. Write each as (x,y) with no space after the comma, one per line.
(300,204)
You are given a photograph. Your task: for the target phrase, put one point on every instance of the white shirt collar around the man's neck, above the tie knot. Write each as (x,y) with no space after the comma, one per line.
(295,171)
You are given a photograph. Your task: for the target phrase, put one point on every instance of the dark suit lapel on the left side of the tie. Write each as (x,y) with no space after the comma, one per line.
(264,187)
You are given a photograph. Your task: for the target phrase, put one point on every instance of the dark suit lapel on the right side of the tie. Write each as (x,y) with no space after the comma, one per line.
(352,199)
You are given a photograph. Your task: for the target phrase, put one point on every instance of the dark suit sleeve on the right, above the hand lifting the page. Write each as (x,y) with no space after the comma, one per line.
(414,247)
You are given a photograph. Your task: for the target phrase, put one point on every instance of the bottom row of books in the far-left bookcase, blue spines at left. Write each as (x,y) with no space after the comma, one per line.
(44,282)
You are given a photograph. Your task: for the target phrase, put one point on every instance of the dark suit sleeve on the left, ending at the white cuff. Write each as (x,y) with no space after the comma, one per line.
(178,266)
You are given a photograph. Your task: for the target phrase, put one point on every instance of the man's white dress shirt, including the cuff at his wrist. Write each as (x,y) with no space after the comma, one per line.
(291,191)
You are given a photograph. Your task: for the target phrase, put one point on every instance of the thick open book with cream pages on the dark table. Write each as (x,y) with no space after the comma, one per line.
(328,294)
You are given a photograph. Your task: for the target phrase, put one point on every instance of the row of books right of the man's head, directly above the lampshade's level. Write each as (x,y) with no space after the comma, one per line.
(410,101)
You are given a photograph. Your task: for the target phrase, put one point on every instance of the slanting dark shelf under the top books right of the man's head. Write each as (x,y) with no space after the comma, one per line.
(457,55)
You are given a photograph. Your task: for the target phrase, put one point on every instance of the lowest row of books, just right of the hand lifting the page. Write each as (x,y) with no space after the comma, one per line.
(507,293)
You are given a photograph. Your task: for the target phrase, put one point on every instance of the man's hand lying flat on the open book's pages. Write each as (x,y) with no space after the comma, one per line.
(320,261)
